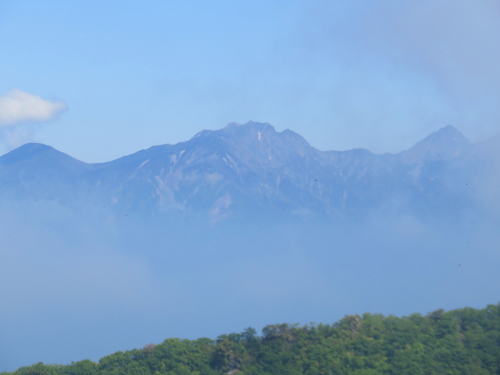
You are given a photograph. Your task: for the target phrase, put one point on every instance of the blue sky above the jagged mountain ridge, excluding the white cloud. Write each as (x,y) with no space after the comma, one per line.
(128,75)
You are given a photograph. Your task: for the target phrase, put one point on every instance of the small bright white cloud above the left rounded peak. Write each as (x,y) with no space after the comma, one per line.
(20,107)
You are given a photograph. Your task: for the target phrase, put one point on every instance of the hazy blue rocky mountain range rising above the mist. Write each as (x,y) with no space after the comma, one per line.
(248,168)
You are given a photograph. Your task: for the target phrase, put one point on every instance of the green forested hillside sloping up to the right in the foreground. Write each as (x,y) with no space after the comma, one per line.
(463,341)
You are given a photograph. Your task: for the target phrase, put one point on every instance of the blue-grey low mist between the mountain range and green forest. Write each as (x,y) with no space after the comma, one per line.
(85,283)
